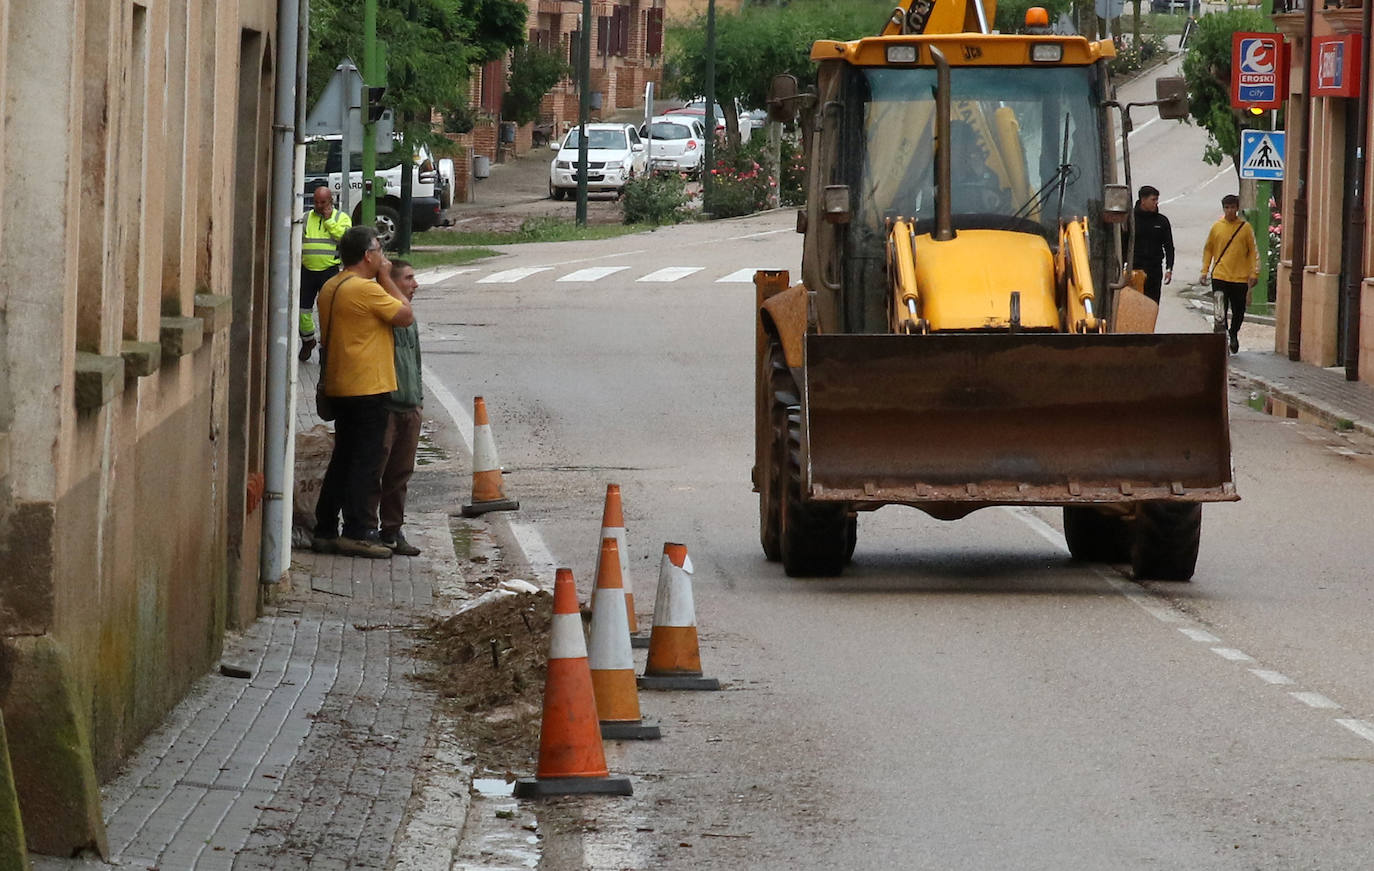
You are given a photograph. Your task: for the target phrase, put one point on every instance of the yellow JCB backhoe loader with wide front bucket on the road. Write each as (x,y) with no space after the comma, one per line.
(965,335)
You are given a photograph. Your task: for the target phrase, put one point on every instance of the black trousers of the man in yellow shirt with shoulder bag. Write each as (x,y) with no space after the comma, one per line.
(359,431)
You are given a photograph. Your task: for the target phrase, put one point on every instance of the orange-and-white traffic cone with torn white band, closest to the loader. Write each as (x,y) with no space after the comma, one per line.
(674,653)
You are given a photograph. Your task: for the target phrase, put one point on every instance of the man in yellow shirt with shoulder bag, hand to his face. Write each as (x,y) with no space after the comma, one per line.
(359,308)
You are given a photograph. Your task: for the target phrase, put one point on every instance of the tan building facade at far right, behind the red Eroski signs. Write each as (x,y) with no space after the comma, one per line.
(1325,336)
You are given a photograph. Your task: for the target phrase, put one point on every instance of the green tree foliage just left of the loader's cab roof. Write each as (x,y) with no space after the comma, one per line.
(761,42)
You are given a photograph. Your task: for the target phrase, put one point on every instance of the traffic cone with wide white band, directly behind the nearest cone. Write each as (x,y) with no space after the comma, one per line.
(612,661)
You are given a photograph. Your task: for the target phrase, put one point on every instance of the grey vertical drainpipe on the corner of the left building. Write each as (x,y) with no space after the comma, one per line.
(278,427)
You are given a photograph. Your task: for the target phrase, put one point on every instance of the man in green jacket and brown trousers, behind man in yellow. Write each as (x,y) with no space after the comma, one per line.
(403,427)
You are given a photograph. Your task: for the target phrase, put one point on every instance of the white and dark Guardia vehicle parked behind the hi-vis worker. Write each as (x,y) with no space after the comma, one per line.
(325,164)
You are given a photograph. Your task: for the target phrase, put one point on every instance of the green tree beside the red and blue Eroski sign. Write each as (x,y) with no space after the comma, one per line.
(1207,67)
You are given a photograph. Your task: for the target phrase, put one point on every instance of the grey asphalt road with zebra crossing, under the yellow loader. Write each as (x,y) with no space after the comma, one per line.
(965,696)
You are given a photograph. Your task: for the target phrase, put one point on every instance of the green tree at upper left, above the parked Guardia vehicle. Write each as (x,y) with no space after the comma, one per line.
(431,46)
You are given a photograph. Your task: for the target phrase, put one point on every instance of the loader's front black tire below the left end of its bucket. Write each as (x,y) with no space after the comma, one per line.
(814,538)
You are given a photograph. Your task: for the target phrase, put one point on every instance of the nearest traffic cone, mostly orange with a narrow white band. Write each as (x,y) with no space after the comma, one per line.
(571,755)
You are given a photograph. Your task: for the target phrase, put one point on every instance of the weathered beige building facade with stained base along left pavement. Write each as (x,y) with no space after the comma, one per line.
(134,248)
